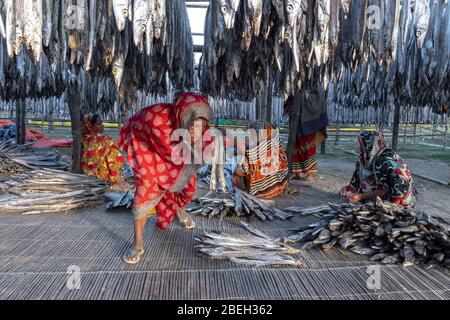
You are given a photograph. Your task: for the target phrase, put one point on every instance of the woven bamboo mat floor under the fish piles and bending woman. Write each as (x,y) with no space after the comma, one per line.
(36,252)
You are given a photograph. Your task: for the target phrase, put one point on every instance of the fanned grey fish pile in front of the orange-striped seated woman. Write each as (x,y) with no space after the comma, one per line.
(239,203)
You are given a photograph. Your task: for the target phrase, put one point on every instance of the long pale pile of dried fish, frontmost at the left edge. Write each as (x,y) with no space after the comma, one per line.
(48,191)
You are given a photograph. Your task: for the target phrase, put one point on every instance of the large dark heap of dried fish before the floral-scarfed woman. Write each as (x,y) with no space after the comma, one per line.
(382,231)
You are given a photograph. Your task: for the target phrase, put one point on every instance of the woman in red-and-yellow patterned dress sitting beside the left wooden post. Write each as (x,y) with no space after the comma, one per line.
(100,157)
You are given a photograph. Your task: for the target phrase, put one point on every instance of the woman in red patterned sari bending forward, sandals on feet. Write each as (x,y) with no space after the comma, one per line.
(162,183)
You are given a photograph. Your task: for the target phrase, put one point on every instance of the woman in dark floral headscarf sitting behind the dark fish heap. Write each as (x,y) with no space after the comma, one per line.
(380,172)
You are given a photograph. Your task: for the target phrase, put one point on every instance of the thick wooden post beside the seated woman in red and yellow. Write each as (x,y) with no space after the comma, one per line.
(75,117)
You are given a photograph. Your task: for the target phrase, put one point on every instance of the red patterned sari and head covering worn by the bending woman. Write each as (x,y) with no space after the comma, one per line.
(146,138)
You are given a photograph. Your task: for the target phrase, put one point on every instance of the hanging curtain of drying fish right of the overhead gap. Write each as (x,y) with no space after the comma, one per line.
(369,49)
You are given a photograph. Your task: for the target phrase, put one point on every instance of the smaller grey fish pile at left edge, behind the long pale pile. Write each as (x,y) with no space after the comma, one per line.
(14,156)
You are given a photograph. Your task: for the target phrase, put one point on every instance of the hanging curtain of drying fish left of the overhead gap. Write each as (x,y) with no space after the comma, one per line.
(120,46)
